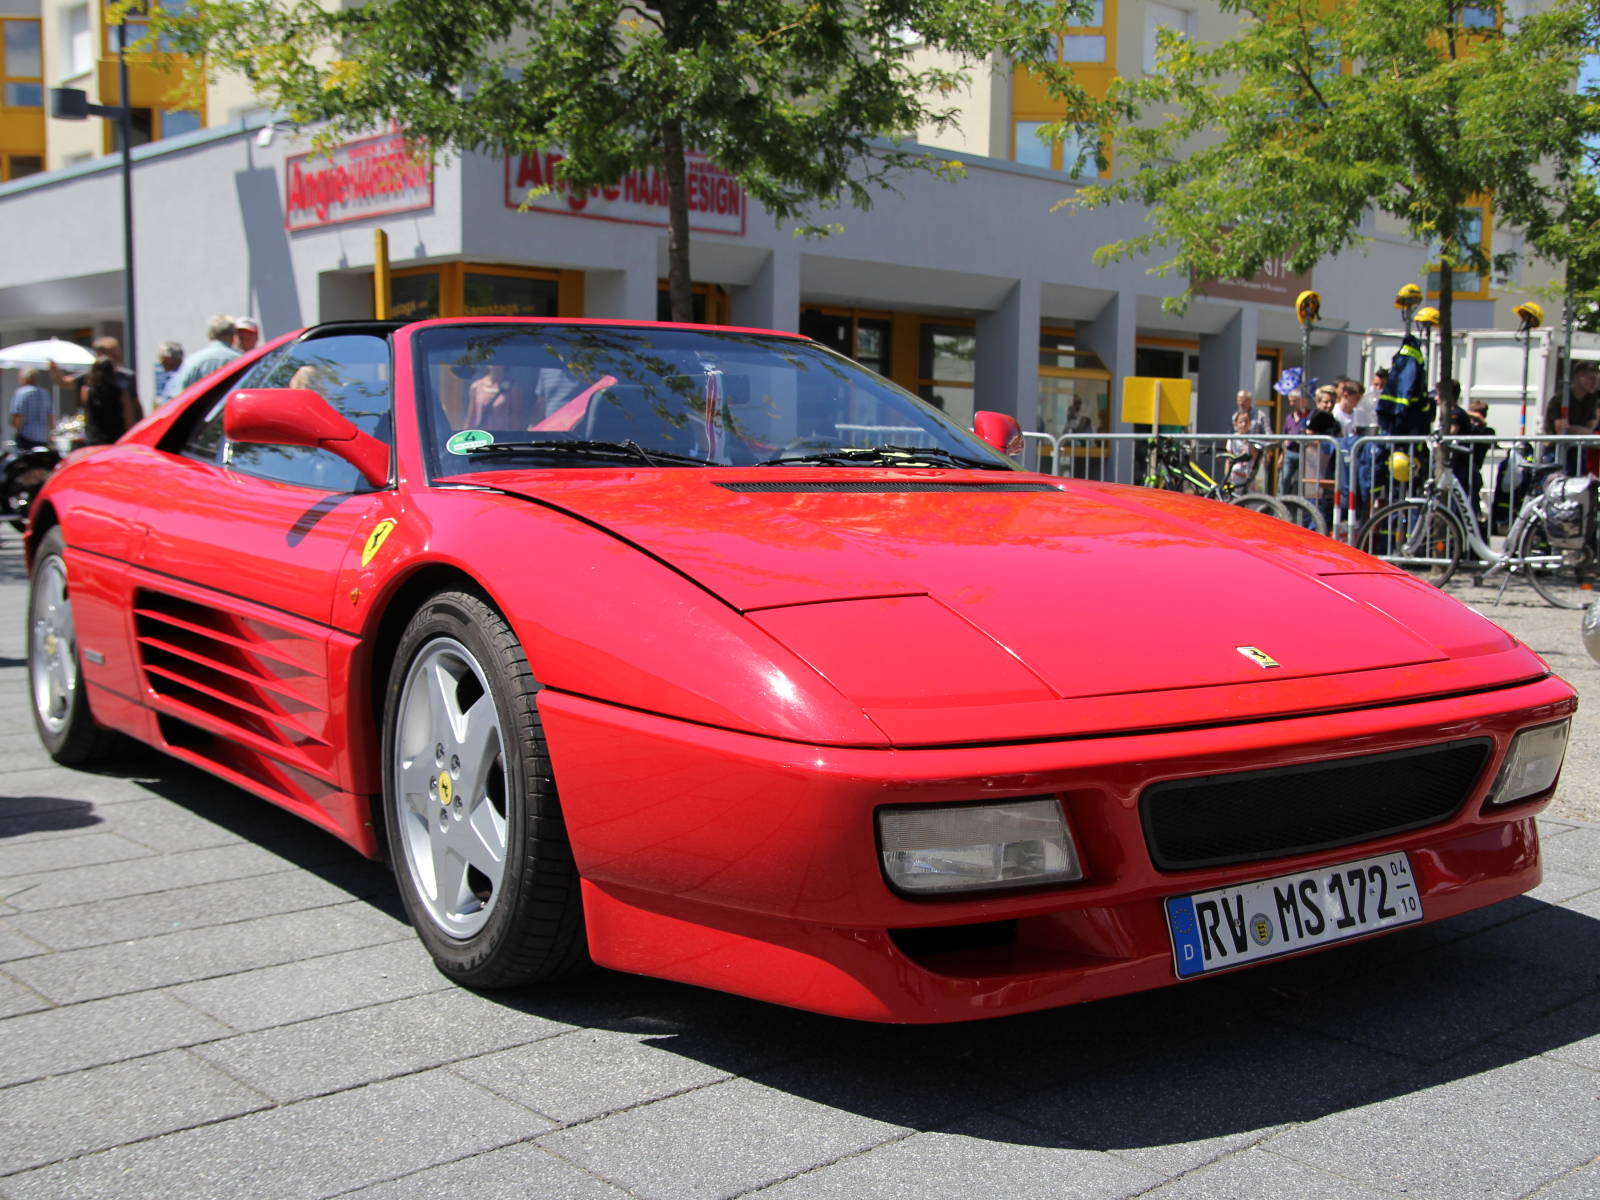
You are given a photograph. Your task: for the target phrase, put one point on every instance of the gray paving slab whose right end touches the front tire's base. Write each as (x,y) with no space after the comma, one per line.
(337,983)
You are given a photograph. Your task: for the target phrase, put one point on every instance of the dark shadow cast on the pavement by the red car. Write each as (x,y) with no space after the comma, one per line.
(1206,1062)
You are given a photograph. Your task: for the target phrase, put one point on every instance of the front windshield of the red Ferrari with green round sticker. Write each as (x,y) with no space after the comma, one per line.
(518,396)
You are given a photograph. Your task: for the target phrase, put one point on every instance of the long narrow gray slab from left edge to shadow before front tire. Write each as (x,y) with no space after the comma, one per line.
(129,918)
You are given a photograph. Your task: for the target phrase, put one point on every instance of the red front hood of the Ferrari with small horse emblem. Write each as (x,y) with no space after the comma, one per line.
(1039,593)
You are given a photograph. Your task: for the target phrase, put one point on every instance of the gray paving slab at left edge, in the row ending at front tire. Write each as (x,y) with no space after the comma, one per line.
(105,1031)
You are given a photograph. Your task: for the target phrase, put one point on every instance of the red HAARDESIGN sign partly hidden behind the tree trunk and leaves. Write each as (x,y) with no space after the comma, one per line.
(718,204)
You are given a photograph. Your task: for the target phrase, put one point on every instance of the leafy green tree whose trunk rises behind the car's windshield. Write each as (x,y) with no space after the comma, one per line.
(799,100)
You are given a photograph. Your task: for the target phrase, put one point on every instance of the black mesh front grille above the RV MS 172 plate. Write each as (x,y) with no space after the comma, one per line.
(1295,810)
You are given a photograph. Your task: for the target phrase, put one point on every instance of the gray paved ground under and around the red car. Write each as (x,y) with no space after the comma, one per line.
(204,998)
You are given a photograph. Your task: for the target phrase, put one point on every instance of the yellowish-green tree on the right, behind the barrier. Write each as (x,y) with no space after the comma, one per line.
(1282,140)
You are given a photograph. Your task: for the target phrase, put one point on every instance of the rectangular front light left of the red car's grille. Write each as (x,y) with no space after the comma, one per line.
(969,847)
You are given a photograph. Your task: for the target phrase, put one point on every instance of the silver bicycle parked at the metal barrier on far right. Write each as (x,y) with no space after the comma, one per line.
(1553,550)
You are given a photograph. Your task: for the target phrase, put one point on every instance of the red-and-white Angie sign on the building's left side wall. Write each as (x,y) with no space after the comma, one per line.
(374,177)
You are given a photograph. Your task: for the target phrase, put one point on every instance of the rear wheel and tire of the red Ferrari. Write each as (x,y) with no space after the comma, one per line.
(55,674)
